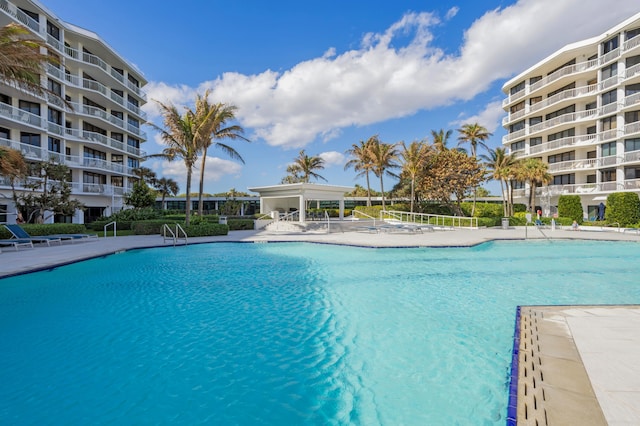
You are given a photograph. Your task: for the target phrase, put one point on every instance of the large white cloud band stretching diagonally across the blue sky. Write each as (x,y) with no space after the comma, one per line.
(380,80)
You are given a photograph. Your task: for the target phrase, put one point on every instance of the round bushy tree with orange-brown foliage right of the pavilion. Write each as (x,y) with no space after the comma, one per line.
(452,174)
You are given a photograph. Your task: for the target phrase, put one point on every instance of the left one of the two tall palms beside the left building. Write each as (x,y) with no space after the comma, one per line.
(179,136)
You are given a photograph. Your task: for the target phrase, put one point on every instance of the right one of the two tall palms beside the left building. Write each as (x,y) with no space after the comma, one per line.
(211,125)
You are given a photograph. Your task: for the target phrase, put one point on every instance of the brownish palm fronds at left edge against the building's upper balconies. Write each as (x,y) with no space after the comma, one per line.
(22,63)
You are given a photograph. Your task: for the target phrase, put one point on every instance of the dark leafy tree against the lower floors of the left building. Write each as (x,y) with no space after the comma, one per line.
(51,192)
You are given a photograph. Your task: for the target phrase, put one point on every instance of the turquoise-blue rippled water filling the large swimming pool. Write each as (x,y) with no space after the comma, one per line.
(287,333)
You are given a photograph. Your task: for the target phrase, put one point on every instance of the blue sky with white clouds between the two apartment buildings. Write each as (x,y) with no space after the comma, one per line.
(324,75)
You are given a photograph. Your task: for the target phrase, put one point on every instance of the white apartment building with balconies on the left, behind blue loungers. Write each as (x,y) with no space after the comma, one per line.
(100,138)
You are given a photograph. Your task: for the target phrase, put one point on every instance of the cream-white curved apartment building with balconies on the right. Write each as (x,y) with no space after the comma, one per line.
(579,111)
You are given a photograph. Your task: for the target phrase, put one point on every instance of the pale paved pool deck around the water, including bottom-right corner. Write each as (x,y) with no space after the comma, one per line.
(584,358)
